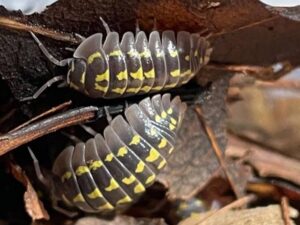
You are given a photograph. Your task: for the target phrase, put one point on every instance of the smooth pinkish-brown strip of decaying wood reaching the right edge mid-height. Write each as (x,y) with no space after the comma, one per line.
(268,164)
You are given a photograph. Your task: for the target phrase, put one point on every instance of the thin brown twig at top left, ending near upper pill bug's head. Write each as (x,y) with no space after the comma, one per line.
(14,24)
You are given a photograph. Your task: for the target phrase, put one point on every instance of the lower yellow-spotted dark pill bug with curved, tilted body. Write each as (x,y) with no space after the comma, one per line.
(107,174)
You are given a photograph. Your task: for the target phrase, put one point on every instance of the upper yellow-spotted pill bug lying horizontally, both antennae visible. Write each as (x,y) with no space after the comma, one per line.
(133,66)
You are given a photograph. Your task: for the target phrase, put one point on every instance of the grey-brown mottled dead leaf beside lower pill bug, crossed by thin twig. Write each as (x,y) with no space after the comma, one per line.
(194,162)
